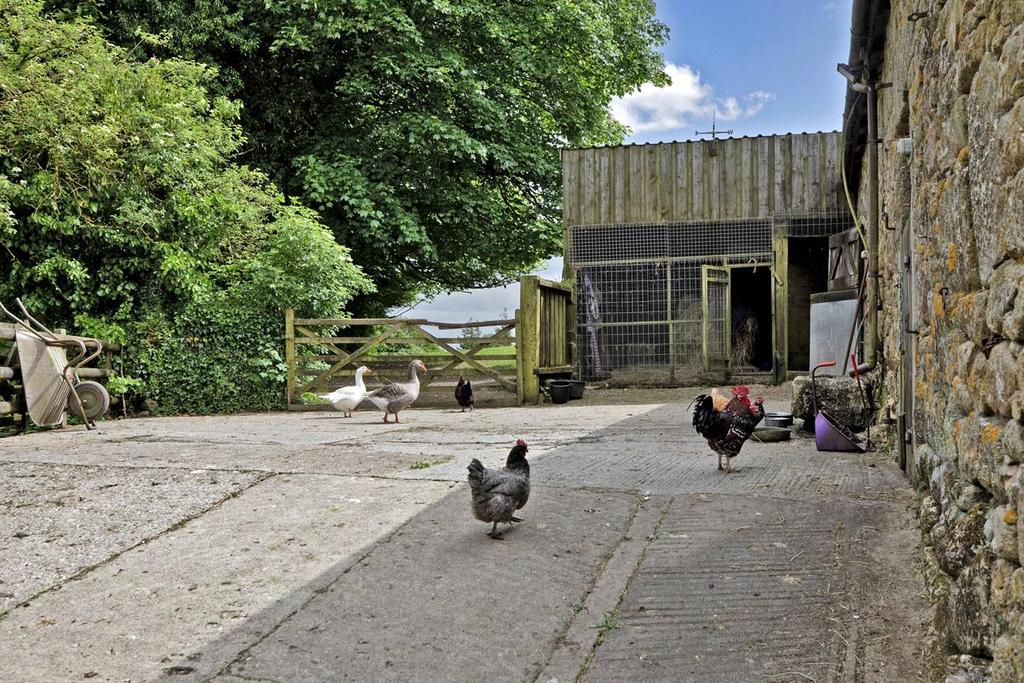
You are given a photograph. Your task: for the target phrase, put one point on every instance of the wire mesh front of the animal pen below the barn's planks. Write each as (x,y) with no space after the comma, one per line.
(649,313)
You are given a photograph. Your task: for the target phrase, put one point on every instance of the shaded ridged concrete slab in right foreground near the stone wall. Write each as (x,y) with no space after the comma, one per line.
(737,590)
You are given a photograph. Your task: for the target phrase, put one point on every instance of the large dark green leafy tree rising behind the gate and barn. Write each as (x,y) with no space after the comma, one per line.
(425,133)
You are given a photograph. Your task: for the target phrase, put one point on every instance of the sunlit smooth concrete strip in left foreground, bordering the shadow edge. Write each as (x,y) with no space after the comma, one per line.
(190,601)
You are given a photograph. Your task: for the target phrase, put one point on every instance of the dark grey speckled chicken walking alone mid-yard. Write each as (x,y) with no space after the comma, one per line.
(498,494)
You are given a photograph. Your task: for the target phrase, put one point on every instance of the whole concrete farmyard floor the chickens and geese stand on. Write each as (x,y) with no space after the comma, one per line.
(310,547)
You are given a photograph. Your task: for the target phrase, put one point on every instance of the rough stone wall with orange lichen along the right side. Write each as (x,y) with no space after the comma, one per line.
(958,93)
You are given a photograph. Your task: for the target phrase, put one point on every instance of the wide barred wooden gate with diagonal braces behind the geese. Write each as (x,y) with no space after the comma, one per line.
(322,355)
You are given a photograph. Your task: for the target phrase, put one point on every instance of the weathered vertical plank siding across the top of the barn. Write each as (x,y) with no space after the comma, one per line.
(745,178)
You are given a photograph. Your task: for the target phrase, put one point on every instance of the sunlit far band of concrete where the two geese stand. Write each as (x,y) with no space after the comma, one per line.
(315,443)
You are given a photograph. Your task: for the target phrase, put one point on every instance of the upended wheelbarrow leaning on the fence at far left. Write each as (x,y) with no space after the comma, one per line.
(50,376)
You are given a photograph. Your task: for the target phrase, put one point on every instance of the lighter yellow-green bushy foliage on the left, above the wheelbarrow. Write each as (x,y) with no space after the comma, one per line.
(122,212)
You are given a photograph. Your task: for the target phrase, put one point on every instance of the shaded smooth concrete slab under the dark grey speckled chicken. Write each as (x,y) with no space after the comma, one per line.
(441,602)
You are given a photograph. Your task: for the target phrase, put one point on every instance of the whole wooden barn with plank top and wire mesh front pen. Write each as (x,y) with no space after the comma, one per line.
(697,261)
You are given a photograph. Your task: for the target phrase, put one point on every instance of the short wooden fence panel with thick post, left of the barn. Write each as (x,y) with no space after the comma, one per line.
(546,341)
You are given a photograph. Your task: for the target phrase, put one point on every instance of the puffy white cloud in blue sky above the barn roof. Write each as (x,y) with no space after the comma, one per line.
(655,110)
